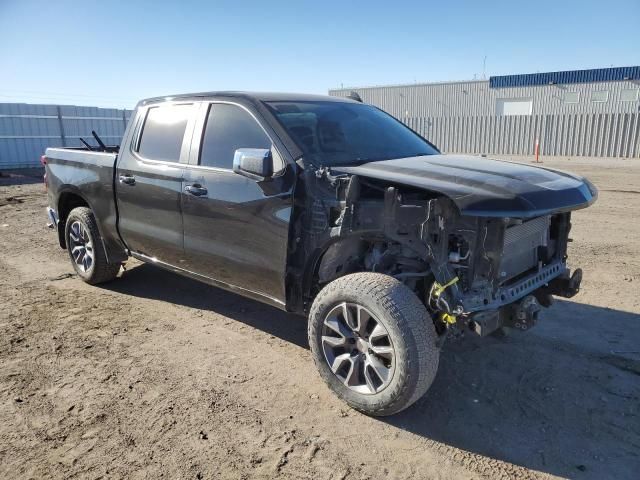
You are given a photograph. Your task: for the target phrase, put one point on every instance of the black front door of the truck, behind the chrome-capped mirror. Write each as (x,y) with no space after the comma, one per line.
(236,228)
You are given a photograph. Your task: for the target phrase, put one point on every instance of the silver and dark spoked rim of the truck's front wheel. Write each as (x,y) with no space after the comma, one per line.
(358,348)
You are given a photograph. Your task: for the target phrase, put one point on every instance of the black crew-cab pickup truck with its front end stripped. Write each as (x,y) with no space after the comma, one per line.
(330,208)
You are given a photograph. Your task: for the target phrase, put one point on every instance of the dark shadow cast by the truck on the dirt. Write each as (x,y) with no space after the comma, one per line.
(562,399)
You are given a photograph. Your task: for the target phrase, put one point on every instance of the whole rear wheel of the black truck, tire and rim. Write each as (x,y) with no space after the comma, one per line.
(84,245)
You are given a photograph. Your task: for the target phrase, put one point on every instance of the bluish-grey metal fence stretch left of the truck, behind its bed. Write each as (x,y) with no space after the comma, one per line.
(26,130)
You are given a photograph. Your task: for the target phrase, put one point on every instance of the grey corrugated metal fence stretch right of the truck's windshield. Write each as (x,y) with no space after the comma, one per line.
(590,135)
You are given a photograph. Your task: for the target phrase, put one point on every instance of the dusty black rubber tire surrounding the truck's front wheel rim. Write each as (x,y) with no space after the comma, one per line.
(410,330)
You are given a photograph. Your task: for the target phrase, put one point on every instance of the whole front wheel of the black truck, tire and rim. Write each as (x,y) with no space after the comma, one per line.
(373,342)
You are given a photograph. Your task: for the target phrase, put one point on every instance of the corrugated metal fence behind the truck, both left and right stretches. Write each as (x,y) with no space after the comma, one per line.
(27,130)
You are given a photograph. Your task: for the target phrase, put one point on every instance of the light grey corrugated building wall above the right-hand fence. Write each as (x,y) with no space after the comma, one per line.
(476,98)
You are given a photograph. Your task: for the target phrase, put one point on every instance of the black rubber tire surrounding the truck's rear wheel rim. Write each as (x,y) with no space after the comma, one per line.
(100,270)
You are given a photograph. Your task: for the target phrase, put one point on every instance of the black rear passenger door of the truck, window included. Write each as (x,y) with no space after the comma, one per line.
(149,181)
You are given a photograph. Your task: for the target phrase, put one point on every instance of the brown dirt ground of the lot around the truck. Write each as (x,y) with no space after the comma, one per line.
(158,376)
